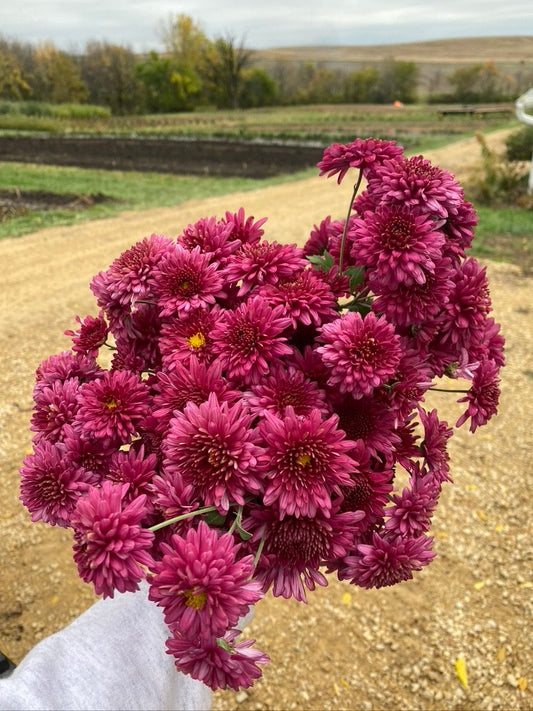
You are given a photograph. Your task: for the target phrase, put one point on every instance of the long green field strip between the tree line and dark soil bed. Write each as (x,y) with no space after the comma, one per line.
(414,126)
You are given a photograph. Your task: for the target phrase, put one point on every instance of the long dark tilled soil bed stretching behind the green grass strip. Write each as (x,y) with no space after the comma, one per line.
(219,158)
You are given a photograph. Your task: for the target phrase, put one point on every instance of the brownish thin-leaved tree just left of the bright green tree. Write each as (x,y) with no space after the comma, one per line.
(109,72)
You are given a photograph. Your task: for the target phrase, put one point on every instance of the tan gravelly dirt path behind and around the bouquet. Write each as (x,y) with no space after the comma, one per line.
(349,648)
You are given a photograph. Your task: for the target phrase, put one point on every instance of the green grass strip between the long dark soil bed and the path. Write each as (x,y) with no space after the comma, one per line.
(128,191)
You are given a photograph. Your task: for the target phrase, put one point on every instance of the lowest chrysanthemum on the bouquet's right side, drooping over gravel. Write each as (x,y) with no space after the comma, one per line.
(387,560)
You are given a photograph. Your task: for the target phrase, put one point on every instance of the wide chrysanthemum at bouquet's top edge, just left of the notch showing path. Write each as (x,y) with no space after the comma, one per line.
(263,263)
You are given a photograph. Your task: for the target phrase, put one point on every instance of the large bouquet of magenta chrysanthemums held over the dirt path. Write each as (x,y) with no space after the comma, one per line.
(260,421)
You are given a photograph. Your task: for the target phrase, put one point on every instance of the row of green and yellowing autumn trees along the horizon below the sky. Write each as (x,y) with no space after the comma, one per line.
(196,71)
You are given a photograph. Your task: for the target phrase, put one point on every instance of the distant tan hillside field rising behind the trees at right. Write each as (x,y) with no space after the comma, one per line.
(436,59)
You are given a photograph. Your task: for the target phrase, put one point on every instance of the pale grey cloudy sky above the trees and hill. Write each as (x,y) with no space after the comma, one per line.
(69,24)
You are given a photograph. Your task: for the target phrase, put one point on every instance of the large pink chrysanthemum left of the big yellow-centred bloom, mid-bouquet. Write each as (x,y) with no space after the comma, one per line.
(214,449)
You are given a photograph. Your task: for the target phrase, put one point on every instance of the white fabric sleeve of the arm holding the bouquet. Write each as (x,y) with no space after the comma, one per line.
(110,658)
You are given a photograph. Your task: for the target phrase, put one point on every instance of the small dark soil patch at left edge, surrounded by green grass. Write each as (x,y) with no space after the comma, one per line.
(14,203)
